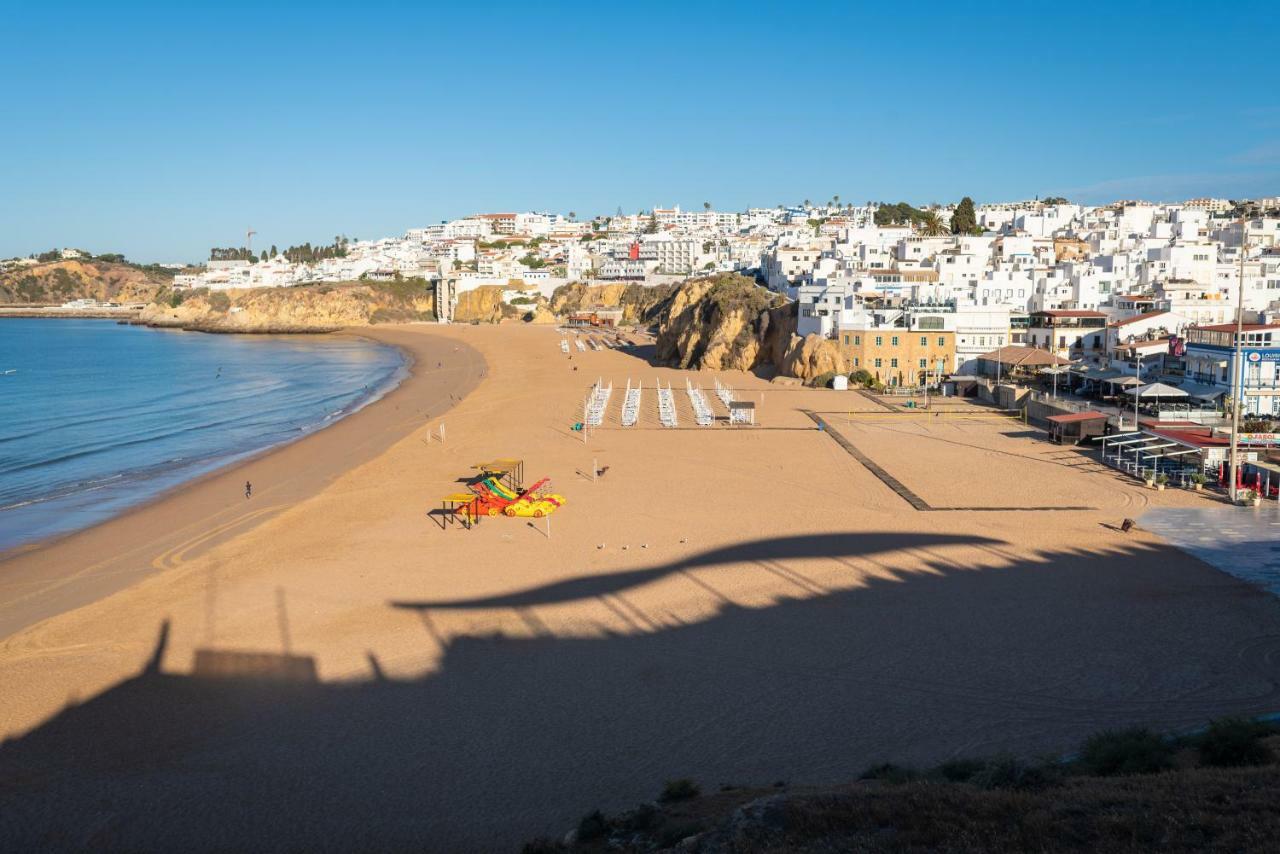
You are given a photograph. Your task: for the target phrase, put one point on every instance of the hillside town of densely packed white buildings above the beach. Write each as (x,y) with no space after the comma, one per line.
(1108,296)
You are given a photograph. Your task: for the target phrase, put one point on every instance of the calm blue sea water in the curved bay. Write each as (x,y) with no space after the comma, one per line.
(97,417)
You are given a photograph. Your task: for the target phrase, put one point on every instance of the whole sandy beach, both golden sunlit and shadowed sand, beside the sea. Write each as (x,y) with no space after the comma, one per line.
(738,606)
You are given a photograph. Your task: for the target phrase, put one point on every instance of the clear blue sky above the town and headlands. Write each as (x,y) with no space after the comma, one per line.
(163,130)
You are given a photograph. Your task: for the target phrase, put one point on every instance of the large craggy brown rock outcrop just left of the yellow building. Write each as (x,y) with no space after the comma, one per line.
(730,323)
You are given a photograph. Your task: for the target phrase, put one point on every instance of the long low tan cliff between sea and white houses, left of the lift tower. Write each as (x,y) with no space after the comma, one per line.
(321,308)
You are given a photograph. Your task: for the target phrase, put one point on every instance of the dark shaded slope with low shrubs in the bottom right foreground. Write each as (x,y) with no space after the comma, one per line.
(1124,791)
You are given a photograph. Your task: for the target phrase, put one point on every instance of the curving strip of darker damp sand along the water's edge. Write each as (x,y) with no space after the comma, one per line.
(43,579)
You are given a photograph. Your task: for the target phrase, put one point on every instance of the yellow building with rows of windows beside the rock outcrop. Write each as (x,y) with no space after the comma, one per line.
(898,357)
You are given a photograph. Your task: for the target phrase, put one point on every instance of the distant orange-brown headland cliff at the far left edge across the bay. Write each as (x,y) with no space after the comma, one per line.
(58,282)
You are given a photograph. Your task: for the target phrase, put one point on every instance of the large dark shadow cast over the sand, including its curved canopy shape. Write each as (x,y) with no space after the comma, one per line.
(514,738)
